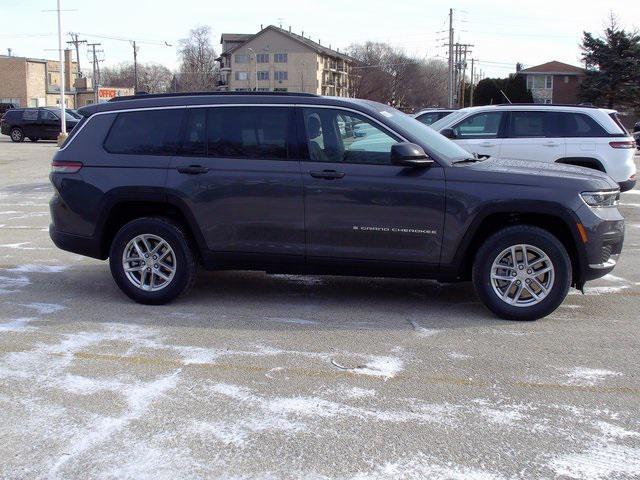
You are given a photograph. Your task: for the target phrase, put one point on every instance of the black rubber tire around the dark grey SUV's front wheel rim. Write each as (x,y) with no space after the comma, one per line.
(519,235)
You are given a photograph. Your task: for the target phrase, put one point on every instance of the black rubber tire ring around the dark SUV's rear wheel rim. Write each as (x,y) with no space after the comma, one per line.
(185,259)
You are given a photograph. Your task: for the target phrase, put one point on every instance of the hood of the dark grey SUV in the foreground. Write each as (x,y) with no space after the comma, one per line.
(544,174)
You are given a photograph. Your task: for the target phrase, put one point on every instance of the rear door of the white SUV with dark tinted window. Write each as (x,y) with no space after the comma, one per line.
(534,136)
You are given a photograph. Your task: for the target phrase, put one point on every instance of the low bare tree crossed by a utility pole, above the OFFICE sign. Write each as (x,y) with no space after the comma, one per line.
(152,77)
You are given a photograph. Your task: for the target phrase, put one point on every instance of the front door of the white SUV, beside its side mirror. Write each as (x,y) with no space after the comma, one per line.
(480,133)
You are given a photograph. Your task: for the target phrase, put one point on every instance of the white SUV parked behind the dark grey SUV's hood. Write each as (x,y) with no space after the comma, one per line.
(576,135)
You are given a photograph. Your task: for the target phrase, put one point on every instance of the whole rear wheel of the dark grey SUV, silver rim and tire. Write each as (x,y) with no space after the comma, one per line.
(152,260)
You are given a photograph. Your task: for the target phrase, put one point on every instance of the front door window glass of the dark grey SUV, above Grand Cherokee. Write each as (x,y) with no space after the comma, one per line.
(344,137)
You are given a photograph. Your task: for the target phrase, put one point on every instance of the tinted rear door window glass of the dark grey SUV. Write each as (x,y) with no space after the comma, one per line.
(248,132)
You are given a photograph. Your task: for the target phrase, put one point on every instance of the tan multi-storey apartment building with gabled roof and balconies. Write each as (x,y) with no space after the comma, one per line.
(275,59)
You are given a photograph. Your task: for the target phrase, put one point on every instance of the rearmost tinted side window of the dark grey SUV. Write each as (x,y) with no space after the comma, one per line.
(150,132)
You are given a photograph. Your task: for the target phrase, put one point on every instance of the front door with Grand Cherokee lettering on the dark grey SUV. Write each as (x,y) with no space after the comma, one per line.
(357,204)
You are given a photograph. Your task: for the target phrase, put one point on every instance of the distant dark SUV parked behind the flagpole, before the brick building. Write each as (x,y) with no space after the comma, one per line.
(41,123)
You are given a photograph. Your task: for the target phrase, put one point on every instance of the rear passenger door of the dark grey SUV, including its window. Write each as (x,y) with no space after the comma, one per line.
(238,174)
